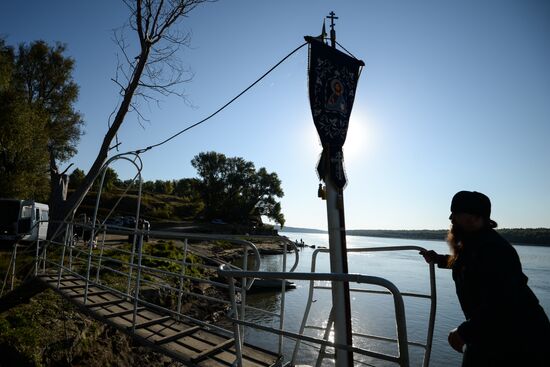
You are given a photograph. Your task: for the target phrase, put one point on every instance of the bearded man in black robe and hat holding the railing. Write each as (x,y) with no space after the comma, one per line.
(505,325)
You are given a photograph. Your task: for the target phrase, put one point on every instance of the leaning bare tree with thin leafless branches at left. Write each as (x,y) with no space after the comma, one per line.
(154,72)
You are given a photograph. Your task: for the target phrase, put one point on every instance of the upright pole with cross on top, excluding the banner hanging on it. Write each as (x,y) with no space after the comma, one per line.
(338,252)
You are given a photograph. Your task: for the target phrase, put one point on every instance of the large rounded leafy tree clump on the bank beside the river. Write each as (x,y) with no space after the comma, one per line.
(232,189)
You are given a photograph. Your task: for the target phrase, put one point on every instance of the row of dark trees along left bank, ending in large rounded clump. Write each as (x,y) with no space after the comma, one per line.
(227,188)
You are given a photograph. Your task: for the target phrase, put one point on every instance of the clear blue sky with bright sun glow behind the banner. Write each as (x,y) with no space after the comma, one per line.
(455,95)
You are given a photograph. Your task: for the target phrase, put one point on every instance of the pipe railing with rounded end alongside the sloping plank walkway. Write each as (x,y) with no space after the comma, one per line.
(79,259)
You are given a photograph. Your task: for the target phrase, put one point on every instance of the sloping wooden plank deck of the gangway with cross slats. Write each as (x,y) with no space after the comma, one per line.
(185,342)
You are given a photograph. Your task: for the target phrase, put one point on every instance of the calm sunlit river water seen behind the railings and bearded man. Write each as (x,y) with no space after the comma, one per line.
(374,314)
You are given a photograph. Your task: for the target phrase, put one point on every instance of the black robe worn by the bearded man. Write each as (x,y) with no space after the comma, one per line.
(504,320)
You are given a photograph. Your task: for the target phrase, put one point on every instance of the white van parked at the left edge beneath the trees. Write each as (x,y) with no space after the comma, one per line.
(23,220)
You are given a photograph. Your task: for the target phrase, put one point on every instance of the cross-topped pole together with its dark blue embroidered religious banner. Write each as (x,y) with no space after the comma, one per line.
(332,81)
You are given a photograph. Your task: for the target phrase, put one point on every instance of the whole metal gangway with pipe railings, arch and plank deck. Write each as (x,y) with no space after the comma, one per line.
(111,275)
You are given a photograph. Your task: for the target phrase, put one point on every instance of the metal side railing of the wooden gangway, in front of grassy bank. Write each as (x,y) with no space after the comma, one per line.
(85,263)
